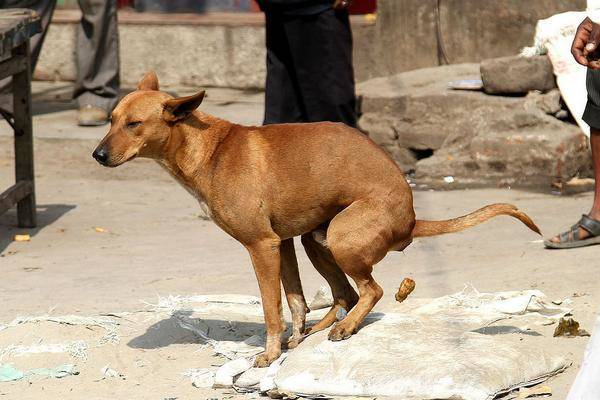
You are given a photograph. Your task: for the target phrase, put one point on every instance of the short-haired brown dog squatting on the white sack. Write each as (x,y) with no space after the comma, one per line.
(265,185)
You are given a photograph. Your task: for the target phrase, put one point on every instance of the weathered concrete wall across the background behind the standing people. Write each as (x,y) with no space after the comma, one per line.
(231,53)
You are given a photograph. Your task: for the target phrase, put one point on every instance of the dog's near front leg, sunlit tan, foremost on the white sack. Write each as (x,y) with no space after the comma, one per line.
(267,266)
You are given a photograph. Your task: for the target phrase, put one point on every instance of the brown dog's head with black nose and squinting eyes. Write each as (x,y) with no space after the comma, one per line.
(141,123)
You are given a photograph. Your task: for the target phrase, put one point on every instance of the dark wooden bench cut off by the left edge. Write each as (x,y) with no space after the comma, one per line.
(17,26)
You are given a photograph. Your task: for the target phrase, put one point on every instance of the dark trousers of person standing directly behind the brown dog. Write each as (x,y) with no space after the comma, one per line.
(309,68)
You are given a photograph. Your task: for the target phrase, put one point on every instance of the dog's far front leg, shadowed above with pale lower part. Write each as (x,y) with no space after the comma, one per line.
(293,291)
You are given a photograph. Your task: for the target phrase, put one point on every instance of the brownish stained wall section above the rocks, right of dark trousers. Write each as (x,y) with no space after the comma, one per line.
(471,30)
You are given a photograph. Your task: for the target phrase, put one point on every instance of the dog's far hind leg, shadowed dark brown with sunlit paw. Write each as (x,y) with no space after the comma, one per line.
(343,293)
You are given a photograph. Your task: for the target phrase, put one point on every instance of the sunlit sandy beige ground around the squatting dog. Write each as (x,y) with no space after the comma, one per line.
(153,242)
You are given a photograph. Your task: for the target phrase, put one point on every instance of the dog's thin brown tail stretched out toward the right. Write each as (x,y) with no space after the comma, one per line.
(433,228)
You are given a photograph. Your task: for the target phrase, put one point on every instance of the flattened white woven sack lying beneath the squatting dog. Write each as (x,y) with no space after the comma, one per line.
(470,346)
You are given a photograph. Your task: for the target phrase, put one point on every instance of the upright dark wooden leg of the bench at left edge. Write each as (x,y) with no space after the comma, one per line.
(24,171)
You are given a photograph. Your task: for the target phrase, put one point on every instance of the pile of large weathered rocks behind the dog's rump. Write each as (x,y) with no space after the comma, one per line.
(519,139)
